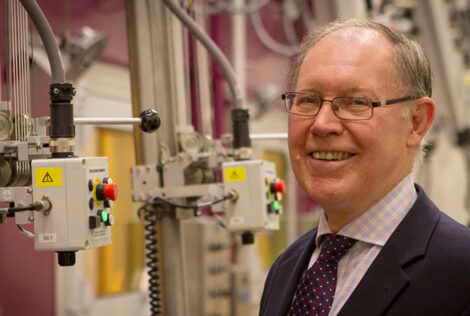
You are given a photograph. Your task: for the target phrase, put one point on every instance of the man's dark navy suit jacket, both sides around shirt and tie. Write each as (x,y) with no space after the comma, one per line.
(423,269)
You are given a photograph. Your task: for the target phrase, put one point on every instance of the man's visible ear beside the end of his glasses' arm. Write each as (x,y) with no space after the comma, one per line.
(421,119)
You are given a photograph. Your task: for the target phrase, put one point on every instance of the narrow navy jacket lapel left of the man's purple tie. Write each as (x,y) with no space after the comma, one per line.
(285,283)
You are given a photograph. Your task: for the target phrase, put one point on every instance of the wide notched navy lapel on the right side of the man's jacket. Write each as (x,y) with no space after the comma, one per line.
(386,277)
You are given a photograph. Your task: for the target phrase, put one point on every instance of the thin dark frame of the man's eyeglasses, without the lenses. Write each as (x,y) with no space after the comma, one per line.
(373,103)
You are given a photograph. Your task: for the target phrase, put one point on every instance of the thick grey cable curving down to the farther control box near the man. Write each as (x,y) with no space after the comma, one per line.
(213,49)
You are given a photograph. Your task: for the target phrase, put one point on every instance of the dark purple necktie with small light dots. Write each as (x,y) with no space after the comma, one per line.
(316,289)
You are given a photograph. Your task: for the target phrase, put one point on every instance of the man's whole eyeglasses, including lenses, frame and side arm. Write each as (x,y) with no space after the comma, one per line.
(345,108)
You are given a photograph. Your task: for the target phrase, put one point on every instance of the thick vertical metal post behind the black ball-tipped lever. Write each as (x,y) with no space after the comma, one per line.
(156,58)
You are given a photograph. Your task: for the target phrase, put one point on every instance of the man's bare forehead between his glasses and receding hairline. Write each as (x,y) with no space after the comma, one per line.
(353,60)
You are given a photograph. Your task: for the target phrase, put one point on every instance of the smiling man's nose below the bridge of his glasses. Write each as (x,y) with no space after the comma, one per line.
(326,122)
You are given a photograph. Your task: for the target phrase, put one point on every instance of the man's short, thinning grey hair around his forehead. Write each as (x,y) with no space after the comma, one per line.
(410,66)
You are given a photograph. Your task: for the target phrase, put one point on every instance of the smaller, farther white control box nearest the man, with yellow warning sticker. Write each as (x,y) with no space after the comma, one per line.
(257,207)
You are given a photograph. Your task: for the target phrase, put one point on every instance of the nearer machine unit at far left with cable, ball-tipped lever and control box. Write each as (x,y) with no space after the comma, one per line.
(42,181)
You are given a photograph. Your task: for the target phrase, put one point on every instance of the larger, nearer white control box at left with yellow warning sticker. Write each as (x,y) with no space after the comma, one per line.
(78,219)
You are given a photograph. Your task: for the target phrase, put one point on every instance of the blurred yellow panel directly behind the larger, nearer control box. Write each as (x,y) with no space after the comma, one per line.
(115,268)
